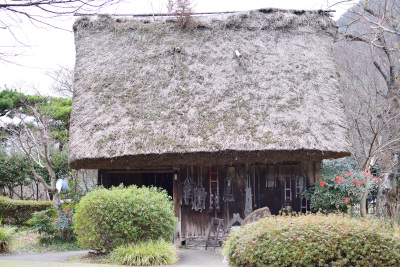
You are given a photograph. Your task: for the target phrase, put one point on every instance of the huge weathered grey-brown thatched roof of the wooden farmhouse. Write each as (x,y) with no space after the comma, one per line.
(151,93)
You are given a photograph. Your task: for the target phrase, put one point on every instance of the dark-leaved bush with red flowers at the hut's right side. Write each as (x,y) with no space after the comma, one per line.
(337,193)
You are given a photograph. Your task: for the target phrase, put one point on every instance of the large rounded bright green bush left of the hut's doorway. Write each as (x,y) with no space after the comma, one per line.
(107,218)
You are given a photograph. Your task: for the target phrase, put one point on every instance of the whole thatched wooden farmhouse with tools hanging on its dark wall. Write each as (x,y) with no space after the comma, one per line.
(230,114)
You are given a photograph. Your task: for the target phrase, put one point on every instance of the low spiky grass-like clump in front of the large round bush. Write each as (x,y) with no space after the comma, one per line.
(146,253)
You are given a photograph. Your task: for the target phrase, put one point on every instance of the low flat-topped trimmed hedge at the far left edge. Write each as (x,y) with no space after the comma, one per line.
(19,211)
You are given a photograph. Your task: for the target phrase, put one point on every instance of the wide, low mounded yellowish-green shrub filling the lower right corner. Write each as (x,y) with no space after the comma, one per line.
(314,240)
